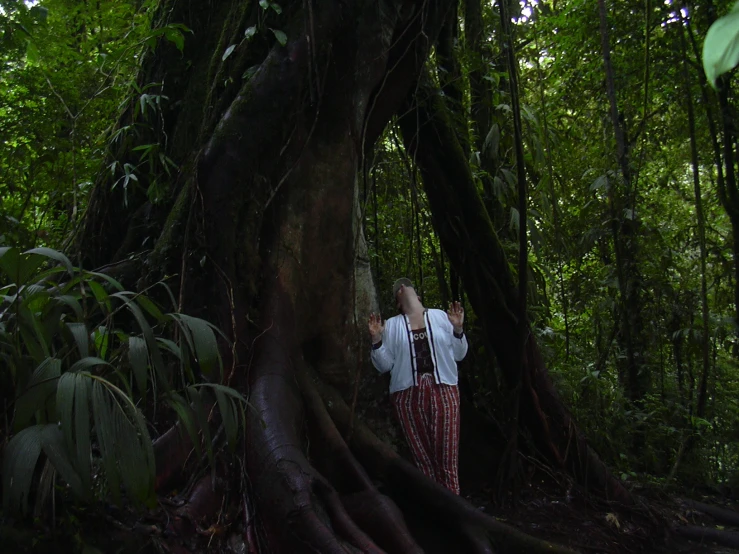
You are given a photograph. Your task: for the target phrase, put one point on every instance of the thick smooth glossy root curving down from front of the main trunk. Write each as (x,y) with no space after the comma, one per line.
(301,510)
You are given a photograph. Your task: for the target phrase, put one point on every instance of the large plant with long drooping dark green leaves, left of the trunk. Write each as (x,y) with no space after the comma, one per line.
(80,355)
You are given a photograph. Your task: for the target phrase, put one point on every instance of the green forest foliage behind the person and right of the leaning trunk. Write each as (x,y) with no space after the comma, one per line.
(577,193)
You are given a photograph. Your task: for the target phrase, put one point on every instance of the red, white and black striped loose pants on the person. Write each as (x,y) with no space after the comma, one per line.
(429,416)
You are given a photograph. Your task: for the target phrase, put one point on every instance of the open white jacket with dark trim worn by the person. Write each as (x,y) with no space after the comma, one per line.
(397,354)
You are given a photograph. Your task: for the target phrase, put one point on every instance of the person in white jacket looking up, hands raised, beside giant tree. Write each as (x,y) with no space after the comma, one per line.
(420,348)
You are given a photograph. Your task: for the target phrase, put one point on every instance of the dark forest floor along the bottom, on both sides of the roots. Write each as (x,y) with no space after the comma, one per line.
(547,510)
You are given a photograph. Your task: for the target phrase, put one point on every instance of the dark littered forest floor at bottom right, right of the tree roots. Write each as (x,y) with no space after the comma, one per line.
(586,524)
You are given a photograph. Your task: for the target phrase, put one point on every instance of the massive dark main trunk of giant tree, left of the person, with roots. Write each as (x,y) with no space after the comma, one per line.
(262,231)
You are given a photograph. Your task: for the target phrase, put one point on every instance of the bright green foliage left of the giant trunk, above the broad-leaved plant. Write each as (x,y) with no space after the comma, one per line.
(66,69)
